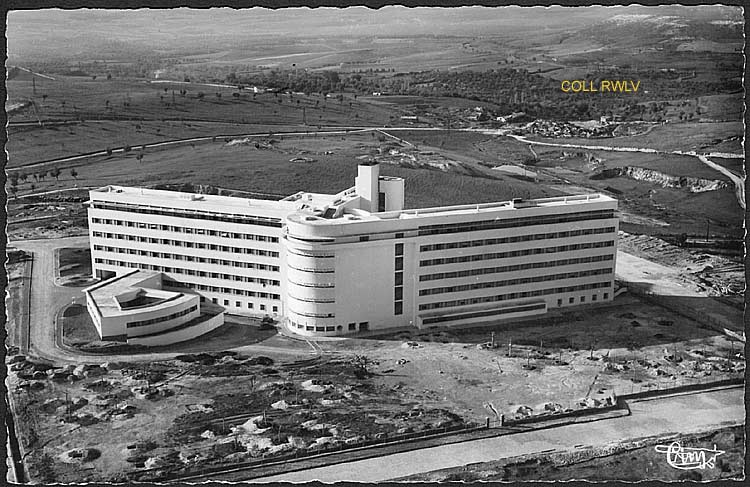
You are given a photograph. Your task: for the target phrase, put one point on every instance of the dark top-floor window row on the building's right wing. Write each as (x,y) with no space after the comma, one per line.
(514,222)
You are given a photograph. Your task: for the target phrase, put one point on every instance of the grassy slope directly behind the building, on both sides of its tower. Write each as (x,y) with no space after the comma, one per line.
(247,168)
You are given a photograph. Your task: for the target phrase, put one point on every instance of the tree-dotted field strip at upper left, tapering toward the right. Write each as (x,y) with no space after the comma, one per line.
(73,98)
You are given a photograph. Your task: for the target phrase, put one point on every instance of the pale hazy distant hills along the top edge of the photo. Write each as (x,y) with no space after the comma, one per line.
(126,34)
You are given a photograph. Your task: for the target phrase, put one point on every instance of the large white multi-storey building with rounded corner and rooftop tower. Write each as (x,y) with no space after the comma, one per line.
(357,261)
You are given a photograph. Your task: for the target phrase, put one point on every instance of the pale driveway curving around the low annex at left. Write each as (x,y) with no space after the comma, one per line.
(47,298)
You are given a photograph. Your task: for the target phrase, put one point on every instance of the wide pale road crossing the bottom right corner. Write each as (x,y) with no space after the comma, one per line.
(677,414)
